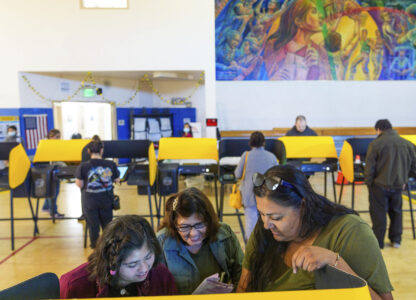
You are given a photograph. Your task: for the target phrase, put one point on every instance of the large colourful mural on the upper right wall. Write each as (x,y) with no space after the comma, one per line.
(315,39)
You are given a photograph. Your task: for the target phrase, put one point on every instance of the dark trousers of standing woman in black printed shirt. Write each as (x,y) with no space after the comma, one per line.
(97,212)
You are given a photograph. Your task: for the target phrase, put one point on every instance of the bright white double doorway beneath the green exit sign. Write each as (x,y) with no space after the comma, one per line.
(86,118)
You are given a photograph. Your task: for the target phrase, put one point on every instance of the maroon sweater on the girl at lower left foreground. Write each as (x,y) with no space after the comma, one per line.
(75,284)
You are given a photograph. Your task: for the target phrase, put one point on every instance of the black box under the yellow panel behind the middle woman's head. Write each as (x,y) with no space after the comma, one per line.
(167,181)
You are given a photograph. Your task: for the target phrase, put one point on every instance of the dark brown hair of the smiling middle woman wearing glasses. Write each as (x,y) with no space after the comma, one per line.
(190,201)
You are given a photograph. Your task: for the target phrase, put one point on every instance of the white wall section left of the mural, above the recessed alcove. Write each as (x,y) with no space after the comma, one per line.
(50,35)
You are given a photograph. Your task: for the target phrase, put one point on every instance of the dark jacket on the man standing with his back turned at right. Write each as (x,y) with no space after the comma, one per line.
(390,160)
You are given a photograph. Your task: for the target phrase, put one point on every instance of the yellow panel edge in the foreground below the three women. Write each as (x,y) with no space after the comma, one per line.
(338,294)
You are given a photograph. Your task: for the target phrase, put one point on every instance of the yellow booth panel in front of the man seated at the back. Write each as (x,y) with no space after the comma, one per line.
(309,146)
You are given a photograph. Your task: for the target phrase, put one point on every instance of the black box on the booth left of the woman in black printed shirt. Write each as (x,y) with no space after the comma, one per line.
(43,181)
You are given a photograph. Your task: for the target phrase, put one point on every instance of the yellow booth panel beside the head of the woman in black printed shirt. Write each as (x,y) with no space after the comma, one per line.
(59,150)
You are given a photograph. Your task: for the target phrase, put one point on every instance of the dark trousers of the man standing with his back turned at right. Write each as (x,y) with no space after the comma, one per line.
(382,201)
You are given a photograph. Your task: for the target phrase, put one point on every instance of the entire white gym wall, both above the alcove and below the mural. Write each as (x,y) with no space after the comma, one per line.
(50,35)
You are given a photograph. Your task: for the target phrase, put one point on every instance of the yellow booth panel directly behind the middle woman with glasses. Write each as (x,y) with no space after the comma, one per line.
(188,148)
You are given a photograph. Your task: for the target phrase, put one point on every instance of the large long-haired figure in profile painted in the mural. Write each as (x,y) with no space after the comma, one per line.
(291,53)
